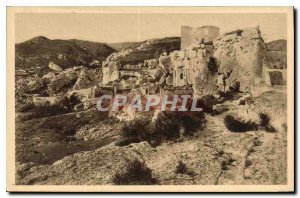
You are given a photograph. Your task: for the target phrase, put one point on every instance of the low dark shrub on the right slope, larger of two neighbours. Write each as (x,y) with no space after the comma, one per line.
(235,125)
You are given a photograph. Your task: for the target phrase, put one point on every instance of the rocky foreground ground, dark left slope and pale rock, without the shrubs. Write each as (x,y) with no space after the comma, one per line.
(87,155)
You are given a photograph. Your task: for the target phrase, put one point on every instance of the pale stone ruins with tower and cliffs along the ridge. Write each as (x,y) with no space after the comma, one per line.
(207,63)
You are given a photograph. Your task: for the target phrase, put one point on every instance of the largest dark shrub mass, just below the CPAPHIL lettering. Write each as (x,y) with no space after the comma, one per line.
(168,126)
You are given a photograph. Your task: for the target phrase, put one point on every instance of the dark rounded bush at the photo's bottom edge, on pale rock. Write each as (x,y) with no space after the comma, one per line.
(134,173)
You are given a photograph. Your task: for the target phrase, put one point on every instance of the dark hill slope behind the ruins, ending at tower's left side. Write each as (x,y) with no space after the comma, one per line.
(149,49)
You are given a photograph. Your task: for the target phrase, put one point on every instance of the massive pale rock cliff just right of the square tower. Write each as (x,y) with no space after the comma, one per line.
(240,55)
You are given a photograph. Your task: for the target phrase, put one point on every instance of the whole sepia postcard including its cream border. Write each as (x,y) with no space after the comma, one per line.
(150,99)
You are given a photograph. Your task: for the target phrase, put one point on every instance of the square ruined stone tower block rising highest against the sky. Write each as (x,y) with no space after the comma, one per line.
(204,33)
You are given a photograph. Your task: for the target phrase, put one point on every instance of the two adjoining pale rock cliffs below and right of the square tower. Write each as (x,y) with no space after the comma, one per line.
(233,62)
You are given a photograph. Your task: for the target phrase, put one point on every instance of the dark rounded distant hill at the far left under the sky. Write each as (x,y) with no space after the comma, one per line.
(39,51)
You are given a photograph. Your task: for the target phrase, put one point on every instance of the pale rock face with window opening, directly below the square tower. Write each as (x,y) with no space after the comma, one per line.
(192,67)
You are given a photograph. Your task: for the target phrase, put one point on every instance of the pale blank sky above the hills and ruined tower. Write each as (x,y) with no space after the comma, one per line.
(120,27)
